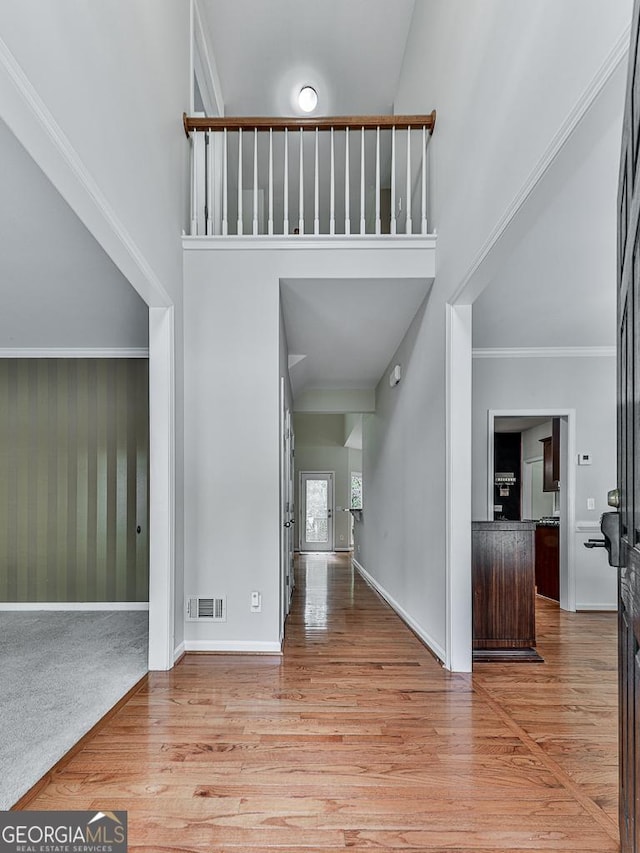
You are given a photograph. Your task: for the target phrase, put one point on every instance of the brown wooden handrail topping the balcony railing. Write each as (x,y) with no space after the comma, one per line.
(324,123)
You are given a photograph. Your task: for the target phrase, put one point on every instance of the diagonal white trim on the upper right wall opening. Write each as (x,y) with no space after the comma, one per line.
(573,119)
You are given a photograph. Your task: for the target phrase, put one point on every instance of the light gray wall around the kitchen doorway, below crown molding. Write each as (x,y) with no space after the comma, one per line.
(587,385)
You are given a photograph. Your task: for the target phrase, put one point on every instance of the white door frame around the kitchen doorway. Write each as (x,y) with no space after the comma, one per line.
(567,493)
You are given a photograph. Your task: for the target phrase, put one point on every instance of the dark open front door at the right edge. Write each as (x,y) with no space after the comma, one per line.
(628,459)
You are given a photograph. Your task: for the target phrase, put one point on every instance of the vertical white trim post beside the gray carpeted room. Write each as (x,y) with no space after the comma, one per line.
(162,488)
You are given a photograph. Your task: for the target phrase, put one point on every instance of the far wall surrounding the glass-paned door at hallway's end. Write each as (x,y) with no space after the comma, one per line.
(320,447)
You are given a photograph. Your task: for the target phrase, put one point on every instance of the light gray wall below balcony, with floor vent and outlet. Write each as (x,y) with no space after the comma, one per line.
(232,373)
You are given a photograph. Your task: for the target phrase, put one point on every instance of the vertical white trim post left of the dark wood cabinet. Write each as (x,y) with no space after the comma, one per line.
(458,608)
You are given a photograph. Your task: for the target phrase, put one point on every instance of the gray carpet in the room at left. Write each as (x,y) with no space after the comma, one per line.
(59,673)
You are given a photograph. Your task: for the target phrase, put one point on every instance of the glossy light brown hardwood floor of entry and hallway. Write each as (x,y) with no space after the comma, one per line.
(357,738)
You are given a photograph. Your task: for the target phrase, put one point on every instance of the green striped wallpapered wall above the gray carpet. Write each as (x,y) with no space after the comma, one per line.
(74,480)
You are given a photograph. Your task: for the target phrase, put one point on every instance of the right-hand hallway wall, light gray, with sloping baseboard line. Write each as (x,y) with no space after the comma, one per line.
(401,535)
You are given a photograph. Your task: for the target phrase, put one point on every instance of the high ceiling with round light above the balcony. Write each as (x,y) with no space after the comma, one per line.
(351,51)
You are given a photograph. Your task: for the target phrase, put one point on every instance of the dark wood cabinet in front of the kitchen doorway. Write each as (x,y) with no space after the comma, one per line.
(503,578)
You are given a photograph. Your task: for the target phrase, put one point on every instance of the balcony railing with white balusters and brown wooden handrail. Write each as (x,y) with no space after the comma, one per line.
(344,175)
